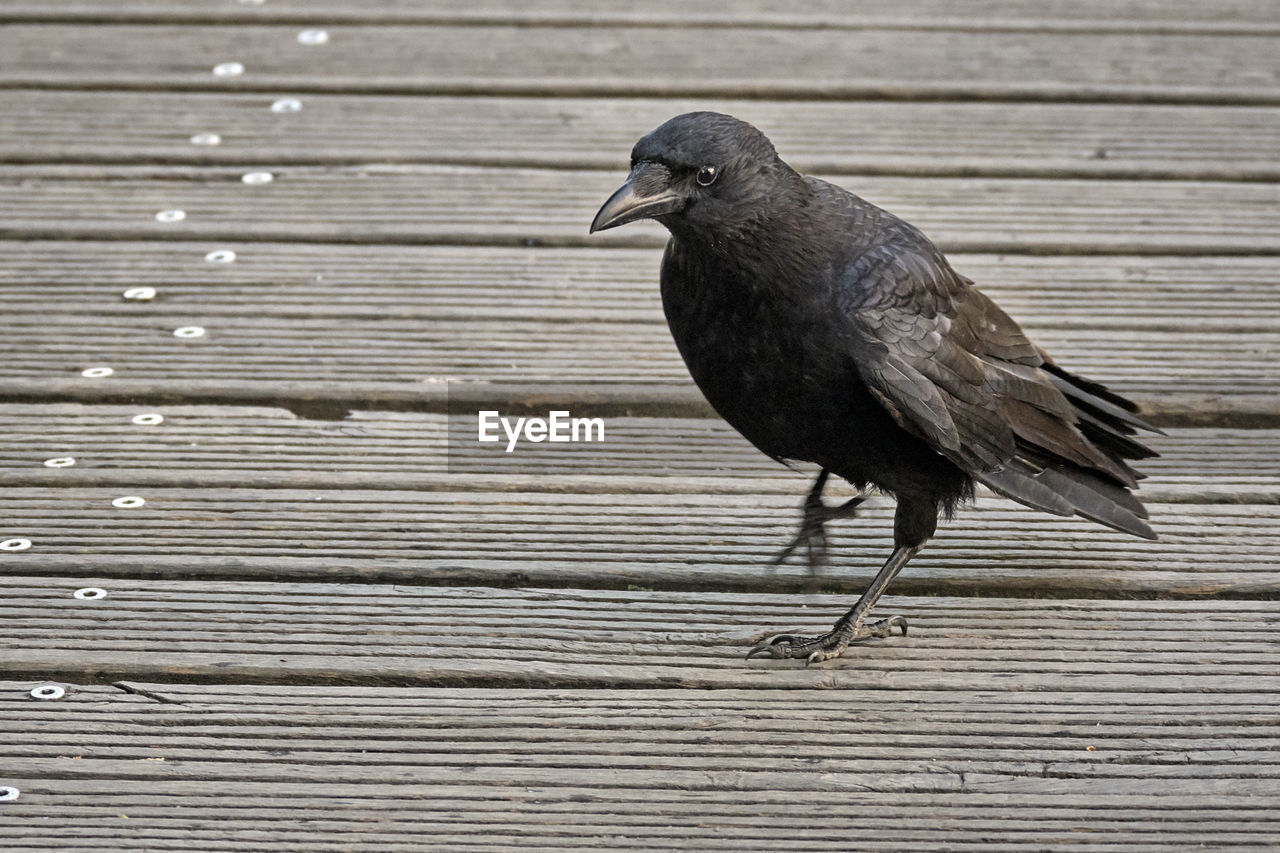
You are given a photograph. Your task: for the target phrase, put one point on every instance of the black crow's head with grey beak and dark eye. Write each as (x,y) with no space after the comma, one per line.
(700,172)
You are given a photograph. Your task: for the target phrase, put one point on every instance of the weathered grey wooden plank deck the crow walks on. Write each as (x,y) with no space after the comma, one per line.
(328,630)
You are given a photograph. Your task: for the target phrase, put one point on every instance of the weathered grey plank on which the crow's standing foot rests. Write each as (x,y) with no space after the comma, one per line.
(255,632)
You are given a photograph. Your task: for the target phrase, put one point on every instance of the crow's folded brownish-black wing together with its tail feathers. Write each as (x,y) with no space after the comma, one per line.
(952,368)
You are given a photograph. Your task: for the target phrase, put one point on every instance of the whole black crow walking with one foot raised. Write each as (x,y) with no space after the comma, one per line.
(828,330)
